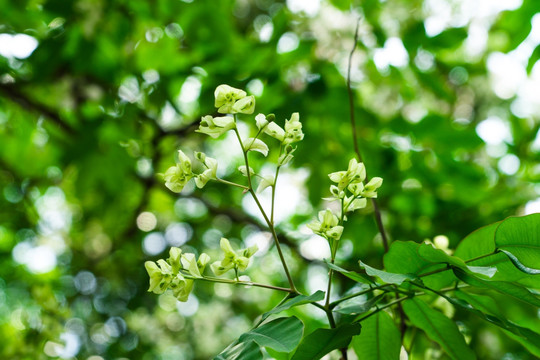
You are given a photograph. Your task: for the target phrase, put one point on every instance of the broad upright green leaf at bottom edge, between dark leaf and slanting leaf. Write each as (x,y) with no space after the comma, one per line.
(380,339)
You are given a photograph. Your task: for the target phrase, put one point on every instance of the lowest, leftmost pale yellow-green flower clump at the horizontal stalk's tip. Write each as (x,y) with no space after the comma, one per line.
(177,273)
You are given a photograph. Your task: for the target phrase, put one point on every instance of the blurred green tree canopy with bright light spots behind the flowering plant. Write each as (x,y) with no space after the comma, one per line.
(96,96)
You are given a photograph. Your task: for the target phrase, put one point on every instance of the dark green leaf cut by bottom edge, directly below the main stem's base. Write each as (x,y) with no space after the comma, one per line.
(322,341)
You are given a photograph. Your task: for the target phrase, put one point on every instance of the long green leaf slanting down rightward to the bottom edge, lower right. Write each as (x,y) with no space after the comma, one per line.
(438,328)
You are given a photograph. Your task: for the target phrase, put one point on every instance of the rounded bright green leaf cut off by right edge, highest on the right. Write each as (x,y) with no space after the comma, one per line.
(520,236)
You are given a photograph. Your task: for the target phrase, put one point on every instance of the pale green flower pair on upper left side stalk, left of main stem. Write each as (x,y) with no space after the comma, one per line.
(177,176)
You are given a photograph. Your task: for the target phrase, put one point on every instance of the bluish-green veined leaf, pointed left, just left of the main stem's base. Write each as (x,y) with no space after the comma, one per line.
(281,334)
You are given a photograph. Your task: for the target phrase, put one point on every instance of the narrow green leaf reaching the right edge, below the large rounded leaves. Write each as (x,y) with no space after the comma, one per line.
(504,287)
